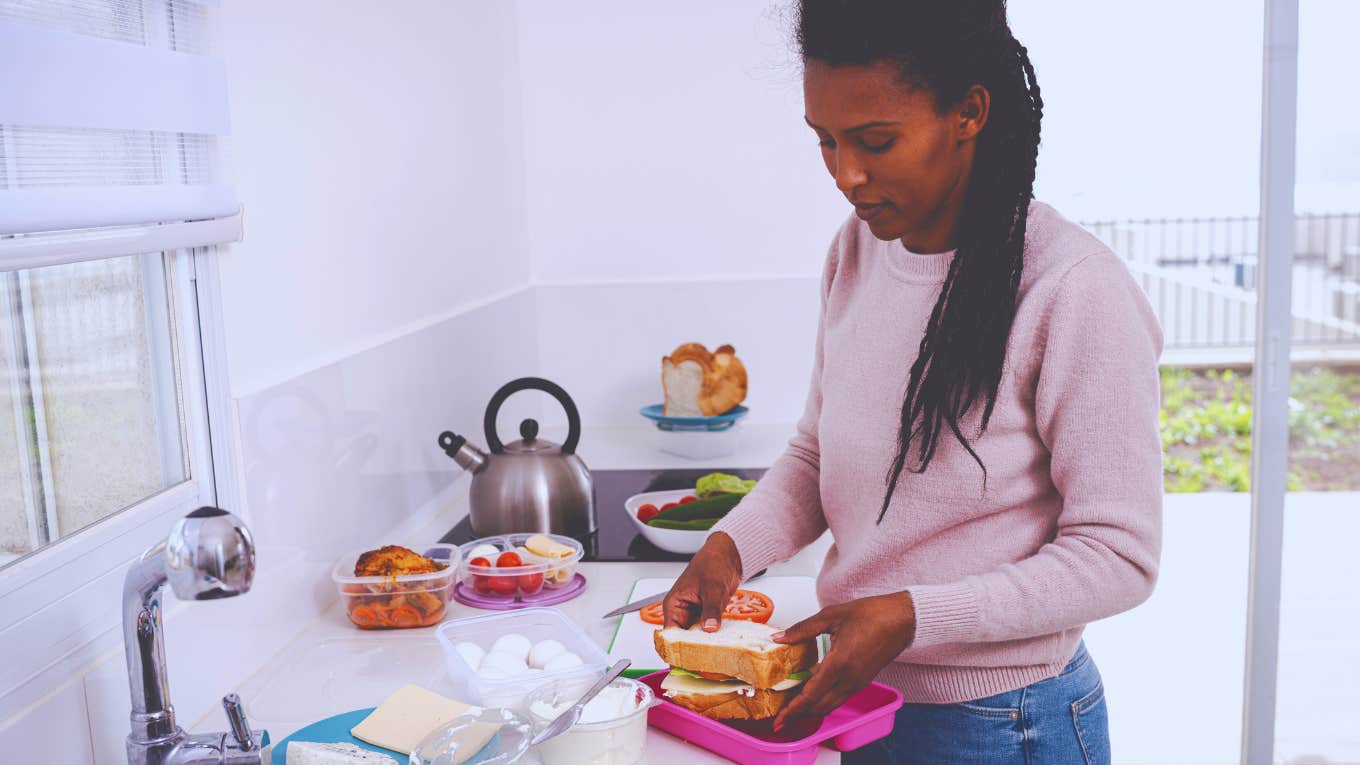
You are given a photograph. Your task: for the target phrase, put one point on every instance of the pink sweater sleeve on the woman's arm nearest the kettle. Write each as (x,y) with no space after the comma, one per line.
(783,514)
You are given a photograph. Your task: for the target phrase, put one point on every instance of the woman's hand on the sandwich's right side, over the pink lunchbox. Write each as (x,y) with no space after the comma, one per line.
(866,635)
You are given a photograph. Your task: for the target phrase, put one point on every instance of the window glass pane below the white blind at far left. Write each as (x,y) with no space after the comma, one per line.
(92,406)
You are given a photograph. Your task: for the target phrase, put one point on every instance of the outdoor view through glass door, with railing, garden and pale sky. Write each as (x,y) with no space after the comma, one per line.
(1176,191)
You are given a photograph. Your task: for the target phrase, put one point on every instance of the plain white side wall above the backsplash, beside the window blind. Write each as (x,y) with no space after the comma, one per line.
(380,164)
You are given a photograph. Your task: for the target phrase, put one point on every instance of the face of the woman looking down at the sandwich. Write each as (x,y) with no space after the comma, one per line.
(902,164)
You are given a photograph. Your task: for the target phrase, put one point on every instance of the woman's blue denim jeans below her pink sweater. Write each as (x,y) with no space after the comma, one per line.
(1056,722)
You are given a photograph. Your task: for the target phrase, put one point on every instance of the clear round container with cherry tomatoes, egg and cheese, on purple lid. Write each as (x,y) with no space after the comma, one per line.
(511,583)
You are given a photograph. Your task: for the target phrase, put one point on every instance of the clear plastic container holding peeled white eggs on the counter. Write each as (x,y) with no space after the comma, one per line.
(535,624)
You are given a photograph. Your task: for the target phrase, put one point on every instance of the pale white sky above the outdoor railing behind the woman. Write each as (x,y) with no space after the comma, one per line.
(1154,108)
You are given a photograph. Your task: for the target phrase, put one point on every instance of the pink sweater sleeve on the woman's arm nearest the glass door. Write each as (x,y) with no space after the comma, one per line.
(1097,412)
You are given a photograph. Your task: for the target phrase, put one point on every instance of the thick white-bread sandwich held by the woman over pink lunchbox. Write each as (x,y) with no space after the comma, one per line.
(736,673)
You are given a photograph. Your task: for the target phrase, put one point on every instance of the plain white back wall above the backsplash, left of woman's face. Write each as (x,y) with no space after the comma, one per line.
(667,141)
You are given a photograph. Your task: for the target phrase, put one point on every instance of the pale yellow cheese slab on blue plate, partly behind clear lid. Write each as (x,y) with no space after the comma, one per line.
(409,717)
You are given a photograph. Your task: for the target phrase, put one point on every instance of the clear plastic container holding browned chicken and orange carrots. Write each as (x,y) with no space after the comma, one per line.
(401,602)
